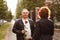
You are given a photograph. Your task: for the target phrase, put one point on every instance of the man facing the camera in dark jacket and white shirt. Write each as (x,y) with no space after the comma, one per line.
(24,27)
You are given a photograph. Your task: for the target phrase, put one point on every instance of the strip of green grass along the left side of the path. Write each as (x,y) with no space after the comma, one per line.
(3,30)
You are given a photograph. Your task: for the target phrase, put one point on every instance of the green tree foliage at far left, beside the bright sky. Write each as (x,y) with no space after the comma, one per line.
(4,13)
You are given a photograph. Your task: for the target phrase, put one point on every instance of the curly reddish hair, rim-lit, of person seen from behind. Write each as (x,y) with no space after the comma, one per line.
(44,12)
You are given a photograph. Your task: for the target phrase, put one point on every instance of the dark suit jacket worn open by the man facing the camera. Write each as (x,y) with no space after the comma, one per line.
(19,26)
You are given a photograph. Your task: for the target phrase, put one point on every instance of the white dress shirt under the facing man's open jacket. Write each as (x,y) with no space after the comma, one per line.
(27,28)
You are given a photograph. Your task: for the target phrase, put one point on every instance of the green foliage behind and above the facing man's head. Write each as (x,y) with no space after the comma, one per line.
(29,4)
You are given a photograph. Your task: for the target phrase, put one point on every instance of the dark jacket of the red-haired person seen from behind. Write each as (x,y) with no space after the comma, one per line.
(43,27)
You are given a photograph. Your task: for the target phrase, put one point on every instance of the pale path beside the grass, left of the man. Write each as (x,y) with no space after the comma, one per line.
(10,35)
